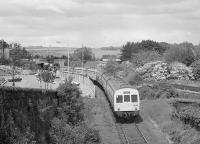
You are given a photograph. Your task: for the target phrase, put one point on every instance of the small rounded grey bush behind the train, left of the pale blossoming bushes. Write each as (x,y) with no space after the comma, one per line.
(112,67)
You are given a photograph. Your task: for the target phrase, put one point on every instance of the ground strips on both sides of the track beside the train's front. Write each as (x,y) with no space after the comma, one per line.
(98,116)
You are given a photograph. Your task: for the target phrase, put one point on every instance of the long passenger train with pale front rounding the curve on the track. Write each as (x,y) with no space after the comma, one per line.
(124,99)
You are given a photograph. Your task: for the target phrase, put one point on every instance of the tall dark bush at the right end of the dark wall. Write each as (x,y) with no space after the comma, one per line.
(71,108)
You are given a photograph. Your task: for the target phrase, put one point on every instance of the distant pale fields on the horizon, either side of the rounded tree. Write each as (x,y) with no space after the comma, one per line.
(59,51)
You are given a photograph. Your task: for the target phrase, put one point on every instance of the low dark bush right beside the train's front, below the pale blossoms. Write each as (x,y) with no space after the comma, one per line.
(156,91)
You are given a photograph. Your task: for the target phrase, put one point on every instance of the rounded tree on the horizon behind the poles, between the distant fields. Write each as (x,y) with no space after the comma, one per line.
(84,54)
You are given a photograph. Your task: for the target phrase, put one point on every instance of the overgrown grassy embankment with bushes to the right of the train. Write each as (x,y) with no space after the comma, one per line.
(181,128)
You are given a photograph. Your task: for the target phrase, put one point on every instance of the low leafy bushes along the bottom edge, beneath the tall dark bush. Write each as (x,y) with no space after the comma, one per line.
(63,133)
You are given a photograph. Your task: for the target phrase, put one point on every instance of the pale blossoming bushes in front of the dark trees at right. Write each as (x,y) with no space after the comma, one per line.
(159,70)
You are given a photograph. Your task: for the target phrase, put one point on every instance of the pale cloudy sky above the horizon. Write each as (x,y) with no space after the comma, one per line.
(98,23)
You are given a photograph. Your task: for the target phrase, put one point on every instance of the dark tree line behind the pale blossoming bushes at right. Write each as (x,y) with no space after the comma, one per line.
(149,50)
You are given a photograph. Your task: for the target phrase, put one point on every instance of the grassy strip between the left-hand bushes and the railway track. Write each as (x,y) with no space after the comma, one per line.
(98,117)
